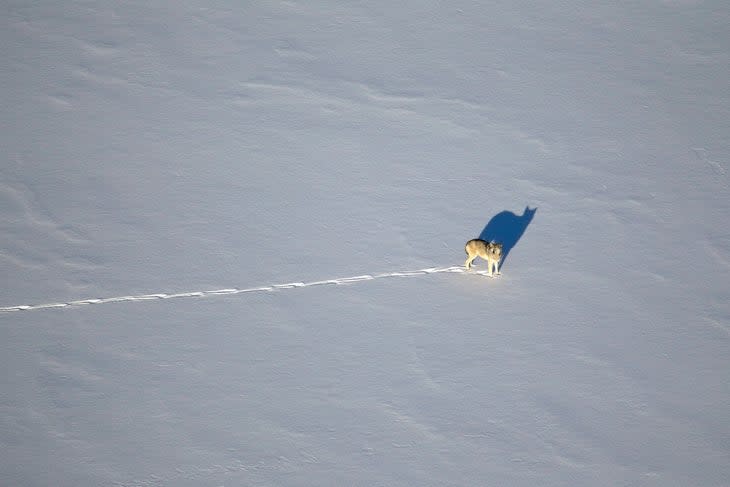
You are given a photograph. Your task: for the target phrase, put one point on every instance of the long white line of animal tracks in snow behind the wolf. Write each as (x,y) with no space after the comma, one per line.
(230,291)
